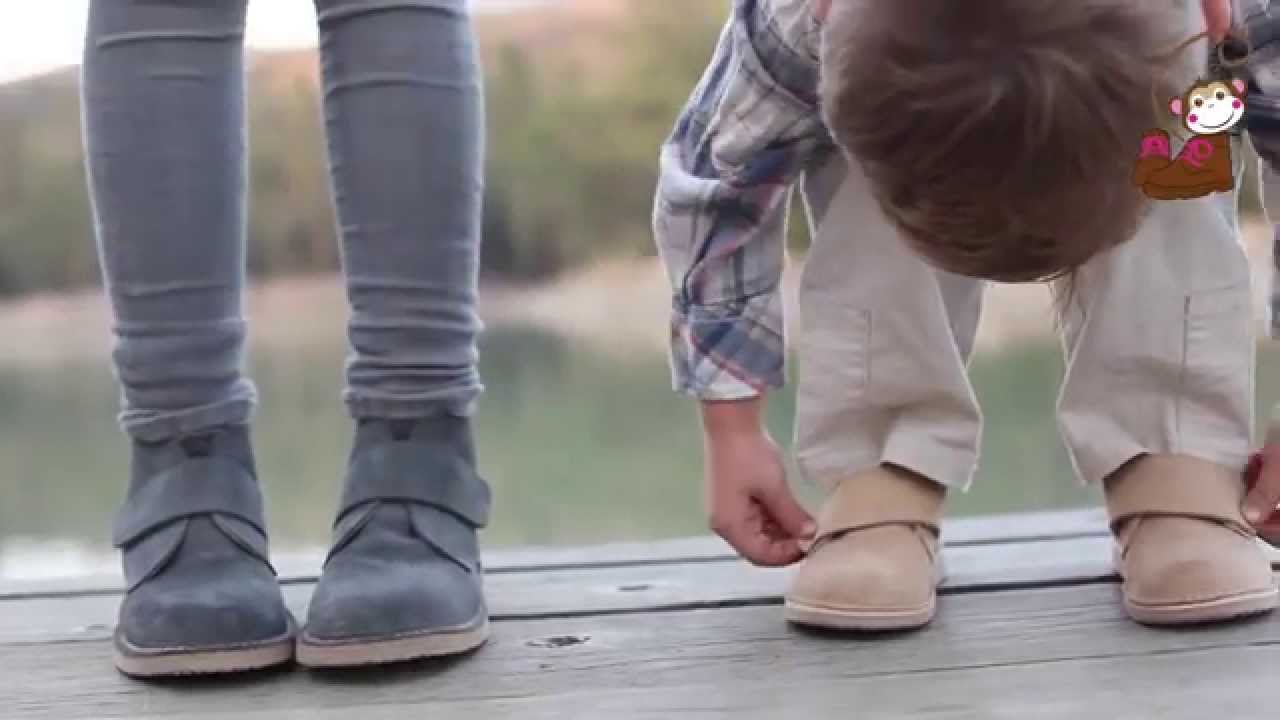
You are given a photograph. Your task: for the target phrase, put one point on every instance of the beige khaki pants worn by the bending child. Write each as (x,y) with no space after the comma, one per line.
(1159,343)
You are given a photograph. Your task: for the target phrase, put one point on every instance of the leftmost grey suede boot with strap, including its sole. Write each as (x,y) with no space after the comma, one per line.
(202,596)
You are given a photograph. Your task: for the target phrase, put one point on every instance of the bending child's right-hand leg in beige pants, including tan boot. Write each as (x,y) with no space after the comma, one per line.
(1158,405)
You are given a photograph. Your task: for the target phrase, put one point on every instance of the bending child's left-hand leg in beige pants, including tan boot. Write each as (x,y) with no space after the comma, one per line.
(886,416)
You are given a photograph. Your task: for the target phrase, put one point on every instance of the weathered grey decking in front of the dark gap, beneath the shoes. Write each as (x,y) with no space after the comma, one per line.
(1021,654)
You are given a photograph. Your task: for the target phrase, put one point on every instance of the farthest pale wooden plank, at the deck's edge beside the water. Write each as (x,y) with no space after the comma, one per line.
(959,532)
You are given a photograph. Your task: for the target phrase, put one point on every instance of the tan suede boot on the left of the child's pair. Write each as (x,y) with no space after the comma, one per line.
(876,563)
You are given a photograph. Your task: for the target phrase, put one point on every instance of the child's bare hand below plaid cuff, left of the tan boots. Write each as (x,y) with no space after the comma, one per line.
(748,498)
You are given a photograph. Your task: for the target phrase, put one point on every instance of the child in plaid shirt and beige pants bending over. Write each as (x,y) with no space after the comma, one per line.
(940,147)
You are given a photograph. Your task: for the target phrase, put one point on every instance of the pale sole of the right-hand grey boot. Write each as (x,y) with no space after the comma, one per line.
(396,649)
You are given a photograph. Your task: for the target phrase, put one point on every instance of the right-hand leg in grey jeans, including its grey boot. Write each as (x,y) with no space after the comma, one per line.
(405,125)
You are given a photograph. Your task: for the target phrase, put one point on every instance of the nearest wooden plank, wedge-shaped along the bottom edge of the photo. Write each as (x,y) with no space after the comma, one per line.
(1235,683)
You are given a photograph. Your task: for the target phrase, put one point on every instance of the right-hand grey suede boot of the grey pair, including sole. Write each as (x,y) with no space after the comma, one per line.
(404,577)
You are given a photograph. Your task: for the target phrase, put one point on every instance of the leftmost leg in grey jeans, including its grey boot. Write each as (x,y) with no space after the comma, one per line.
(164,131)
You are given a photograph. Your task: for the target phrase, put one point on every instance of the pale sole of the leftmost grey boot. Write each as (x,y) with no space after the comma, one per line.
(150,663)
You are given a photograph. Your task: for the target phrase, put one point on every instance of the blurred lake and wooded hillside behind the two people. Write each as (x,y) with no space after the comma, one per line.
(580,434)
